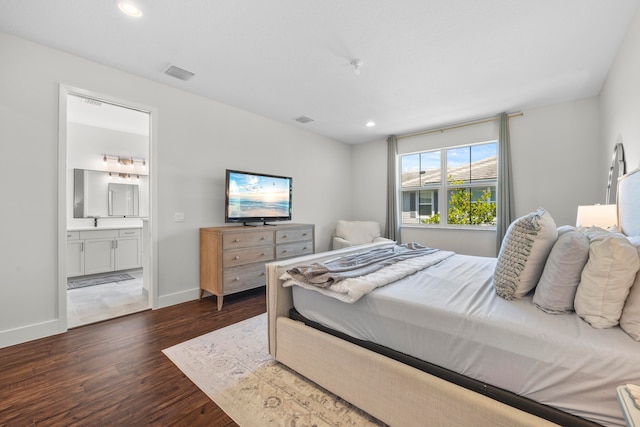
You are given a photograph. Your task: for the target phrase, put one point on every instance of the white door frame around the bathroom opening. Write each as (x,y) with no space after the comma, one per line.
(150,253)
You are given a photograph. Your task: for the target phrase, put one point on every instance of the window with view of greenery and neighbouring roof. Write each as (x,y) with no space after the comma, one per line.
(467,187)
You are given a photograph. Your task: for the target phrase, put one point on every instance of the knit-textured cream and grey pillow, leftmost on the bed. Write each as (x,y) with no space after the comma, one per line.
(523,254)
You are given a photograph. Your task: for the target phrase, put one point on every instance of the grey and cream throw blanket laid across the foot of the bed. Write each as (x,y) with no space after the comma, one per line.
(353,276)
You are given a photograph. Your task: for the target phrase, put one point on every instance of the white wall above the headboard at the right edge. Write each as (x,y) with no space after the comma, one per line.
(620,102)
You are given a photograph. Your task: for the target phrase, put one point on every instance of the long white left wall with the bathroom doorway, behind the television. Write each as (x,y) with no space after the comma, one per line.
(197,139)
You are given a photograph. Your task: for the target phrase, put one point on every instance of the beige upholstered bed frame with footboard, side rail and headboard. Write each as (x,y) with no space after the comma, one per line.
(392,391)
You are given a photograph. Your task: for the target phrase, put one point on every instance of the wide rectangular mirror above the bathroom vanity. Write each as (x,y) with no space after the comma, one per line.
(98,194)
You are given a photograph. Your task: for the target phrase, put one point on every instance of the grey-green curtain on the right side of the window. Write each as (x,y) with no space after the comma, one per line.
(504,203)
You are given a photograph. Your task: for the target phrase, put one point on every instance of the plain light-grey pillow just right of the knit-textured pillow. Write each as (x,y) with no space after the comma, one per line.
(557,287)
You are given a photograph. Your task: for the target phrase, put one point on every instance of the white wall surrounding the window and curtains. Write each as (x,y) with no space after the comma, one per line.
(555,159)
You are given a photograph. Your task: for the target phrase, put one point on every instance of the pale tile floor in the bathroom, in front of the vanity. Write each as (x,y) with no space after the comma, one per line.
(100,302)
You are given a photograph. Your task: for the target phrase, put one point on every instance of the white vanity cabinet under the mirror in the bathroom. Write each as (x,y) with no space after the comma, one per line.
(100,251)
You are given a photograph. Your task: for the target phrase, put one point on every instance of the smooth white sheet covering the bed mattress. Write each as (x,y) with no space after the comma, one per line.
(450,315)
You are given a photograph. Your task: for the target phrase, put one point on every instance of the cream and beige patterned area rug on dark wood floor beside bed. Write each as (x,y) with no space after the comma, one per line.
(233,367)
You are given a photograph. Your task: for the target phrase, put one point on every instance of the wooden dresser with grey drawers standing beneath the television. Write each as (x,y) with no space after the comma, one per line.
(232,258)
